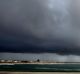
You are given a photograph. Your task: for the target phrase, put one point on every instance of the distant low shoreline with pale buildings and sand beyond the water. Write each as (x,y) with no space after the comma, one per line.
(33,62)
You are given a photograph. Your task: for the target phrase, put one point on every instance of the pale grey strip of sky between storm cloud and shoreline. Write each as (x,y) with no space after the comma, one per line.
(42,57)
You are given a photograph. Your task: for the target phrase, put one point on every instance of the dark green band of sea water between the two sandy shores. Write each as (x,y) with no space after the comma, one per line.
(41,67)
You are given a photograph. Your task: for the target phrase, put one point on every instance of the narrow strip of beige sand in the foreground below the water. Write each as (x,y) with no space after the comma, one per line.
(39,72)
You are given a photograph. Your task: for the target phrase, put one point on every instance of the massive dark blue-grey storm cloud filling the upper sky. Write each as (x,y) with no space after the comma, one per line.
(39,24)
